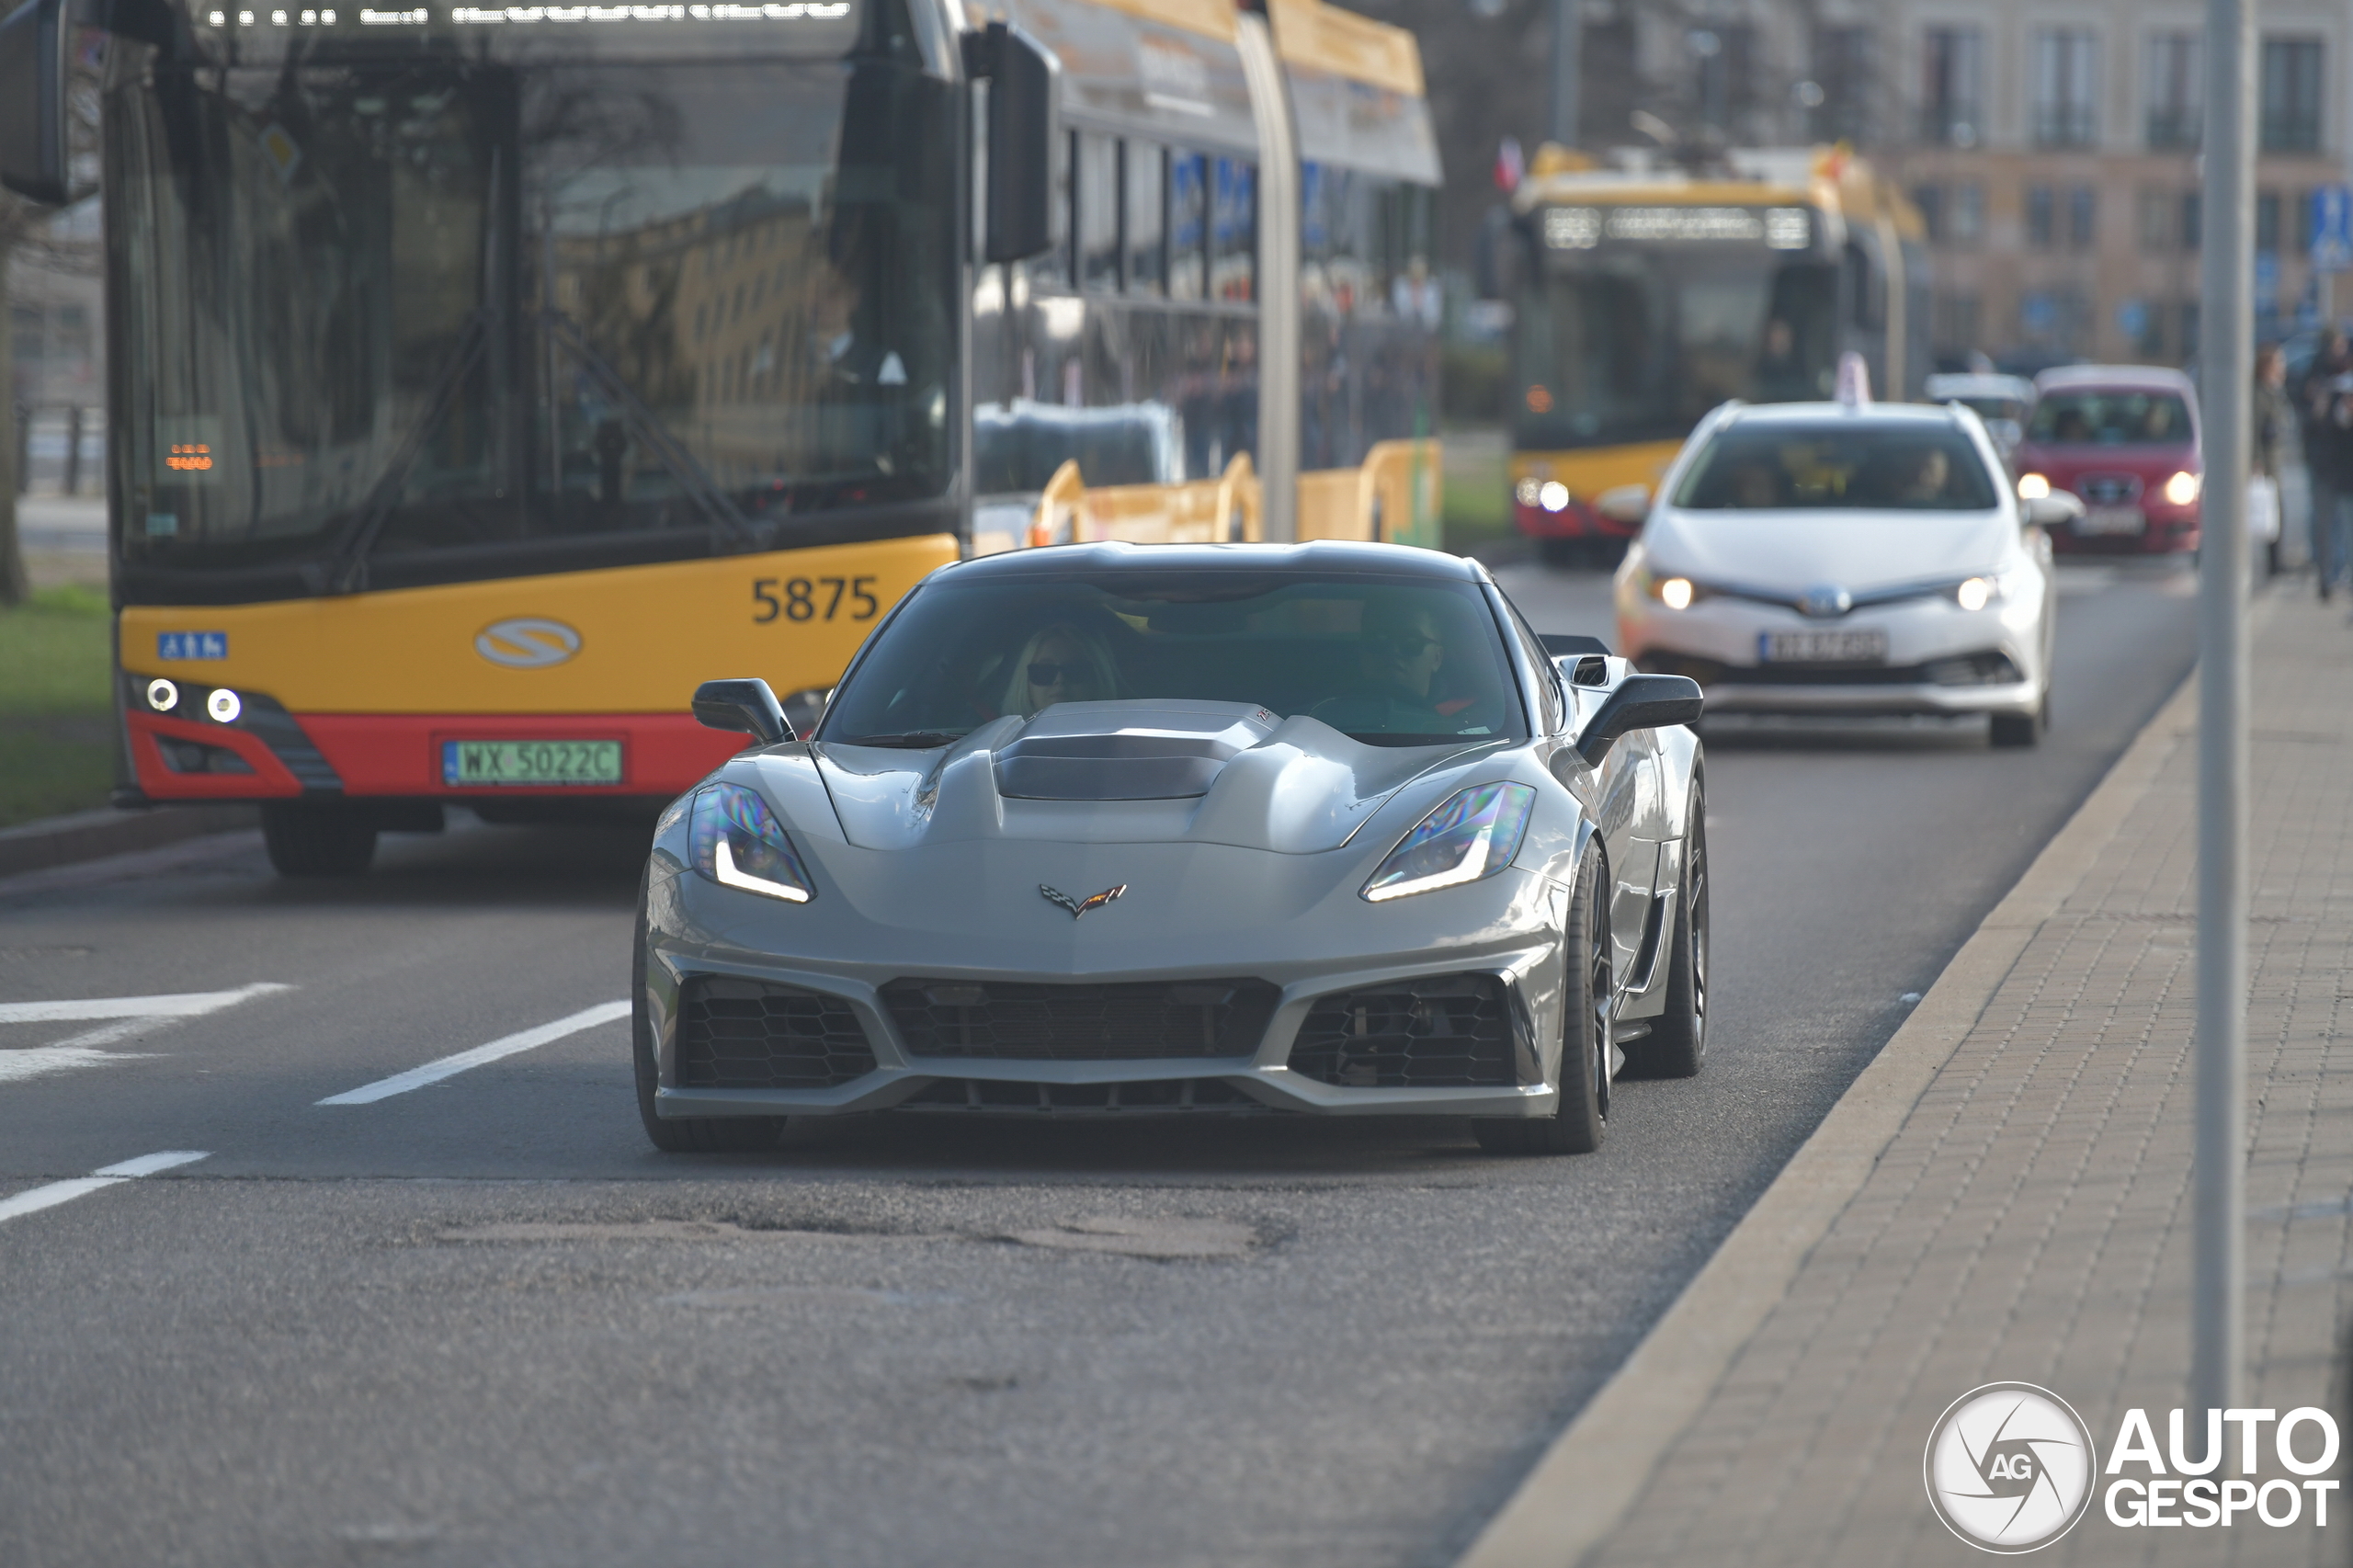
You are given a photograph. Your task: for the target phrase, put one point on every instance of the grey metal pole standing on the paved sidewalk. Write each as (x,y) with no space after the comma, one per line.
(2227,357)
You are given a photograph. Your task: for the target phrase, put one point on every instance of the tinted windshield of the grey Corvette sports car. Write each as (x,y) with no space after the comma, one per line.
(1392,663)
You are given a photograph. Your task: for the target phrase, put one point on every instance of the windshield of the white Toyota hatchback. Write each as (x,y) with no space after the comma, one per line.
(1860,467)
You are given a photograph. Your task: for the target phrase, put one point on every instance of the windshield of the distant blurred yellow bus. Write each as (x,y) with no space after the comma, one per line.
(1639,343)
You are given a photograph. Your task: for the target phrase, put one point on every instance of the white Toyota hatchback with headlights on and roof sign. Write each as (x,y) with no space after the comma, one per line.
(1846,559)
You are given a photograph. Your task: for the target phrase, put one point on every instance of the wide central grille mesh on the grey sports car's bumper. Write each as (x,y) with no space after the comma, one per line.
(1079,1023)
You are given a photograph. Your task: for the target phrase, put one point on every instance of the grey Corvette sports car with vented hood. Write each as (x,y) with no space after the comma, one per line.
(1109,830)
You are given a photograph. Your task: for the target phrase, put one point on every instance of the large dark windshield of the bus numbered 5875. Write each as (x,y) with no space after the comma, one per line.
(429,317)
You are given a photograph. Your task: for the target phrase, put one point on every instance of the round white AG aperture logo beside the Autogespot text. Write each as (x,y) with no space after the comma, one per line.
(2011,1468)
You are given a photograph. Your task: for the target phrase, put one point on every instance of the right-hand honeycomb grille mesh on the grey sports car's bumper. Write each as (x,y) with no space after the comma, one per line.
(1446,1032)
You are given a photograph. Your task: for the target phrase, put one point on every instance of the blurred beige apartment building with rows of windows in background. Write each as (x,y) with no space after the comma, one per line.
(2051,145)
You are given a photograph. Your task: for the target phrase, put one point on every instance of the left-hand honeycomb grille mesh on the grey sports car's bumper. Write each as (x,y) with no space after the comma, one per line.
(752,1035)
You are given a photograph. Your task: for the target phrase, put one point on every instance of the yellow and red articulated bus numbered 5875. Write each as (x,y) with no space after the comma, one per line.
(488,376)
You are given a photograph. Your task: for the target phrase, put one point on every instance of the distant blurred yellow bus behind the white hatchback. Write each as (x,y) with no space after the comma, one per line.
(1644,298)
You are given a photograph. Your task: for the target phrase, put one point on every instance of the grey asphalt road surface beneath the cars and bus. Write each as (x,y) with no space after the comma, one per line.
(479,1322)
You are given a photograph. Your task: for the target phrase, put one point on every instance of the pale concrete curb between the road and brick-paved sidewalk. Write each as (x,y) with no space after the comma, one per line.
(1597,1470)
